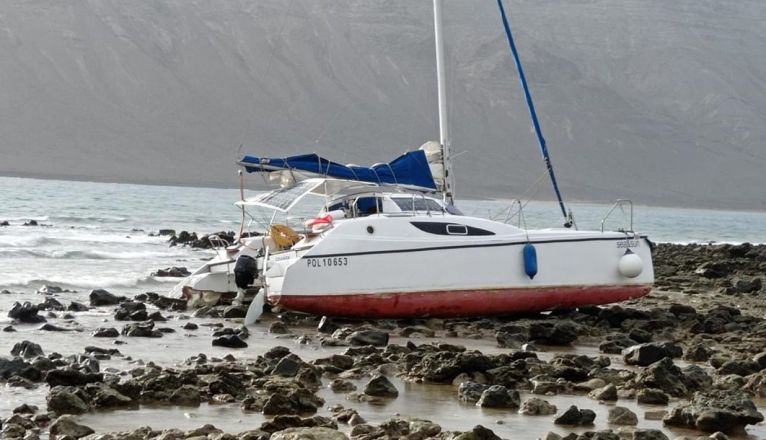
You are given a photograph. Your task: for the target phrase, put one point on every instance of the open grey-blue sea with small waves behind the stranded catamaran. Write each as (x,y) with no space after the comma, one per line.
(100,235)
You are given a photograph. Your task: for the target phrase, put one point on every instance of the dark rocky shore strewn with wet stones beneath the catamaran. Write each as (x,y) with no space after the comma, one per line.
(692,354)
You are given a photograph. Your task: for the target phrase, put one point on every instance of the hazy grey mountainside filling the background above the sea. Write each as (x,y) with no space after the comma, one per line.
(662,102)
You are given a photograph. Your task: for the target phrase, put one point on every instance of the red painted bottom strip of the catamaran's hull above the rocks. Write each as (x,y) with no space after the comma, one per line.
(457,303)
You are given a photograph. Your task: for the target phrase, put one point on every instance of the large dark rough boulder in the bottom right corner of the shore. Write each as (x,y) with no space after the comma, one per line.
(715,410)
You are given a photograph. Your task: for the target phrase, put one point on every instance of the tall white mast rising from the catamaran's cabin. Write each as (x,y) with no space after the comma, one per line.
(448,187)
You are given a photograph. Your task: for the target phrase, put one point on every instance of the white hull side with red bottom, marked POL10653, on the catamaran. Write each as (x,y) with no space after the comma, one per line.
(399,270)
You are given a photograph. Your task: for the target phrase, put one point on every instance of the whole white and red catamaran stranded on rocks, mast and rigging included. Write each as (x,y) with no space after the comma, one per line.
(389,242)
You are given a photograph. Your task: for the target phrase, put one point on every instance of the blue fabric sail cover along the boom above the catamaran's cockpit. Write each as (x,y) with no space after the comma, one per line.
(411,169)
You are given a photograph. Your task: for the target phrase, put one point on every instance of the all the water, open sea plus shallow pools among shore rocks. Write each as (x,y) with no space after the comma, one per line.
(102,235)
